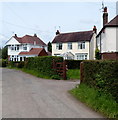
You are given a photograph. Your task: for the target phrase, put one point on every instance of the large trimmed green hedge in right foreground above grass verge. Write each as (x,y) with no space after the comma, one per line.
(102,75)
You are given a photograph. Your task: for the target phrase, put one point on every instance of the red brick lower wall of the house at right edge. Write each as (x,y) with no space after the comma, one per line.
(110,56)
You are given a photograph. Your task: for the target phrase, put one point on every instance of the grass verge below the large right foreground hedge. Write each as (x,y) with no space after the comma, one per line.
(100,102)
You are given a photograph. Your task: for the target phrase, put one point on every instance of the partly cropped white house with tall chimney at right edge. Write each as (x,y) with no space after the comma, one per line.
(107,38)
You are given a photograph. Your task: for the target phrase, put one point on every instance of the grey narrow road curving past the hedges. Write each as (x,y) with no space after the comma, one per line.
(26,96)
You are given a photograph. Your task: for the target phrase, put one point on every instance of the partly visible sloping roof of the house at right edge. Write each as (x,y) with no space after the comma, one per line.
(112,23)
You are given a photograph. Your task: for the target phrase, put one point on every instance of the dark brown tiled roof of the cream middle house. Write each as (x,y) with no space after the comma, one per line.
(73,37)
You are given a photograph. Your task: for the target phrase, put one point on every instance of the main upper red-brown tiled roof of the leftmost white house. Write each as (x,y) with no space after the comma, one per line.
(30,39)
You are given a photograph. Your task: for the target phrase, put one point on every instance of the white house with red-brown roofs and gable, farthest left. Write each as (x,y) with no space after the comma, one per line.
(20,48)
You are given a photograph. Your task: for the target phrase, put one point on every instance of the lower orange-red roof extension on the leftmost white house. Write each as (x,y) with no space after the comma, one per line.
(33,51)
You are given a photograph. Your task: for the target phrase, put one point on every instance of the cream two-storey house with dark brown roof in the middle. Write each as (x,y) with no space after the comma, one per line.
(75,45)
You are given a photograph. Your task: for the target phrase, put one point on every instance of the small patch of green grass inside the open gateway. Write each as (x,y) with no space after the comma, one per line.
(73,74)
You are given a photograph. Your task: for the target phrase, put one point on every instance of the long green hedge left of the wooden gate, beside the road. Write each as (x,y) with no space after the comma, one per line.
(44,65)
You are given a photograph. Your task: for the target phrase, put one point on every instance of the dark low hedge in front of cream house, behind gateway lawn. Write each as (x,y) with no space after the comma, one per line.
(73,64)
